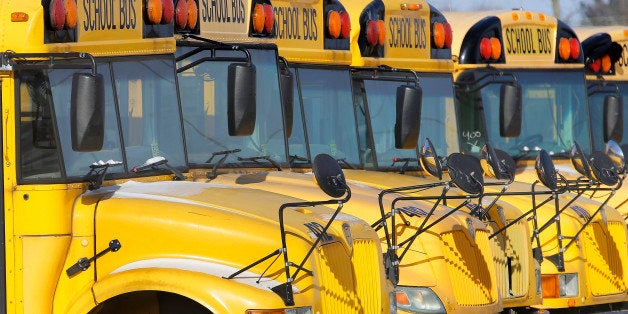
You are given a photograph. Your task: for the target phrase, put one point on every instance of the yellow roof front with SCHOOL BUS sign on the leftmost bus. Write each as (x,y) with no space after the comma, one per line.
(107,28)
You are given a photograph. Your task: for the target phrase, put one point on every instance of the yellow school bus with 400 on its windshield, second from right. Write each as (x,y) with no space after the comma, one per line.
(583,241)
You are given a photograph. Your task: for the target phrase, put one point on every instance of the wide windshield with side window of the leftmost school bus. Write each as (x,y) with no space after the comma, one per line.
(144,98)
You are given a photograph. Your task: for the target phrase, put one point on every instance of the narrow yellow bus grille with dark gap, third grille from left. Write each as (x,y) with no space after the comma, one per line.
(512,269)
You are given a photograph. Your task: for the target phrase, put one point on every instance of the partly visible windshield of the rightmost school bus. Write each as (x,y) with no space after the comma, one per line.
(596,110)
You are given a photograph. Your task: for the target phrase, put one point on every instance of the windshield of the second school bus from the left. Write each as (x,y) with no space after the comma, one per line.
(205,109)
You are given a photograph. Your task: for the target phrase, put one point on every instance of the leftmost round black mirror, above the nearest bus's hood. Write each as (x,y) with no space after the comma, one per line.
(329,175)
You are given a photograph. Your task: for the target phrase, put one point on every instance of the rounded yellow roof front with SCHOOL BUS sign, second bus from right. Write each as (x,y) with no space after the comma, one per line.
(526,39)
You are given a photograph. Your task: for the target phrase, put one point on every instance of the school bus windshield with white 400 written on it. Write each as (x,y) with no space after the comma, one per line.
(554,115)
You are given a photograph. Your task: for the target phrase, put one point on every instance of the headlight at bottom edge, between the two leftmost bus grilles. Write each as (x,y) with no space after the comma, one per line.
(418,300)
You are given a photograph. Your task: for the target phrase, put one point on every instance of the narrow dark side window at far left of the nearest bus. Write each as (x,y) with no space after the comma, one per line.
(38,148)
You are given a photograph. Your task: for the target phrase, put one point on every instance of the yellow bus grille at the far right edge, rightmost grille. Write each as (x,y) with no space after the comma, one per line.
(605,254)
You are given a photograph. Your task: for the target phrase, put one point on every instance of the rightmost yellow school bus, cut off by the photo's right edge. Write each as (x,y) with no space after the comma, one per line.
(604,49)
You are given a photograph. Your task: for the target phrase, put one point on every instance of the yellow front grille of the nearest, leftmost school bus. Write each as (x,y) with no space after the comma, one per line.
(350,285)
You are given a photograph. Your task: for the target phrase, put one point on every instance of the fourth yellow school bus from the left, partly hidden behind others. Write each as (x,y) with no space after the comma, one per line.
(418,42)
